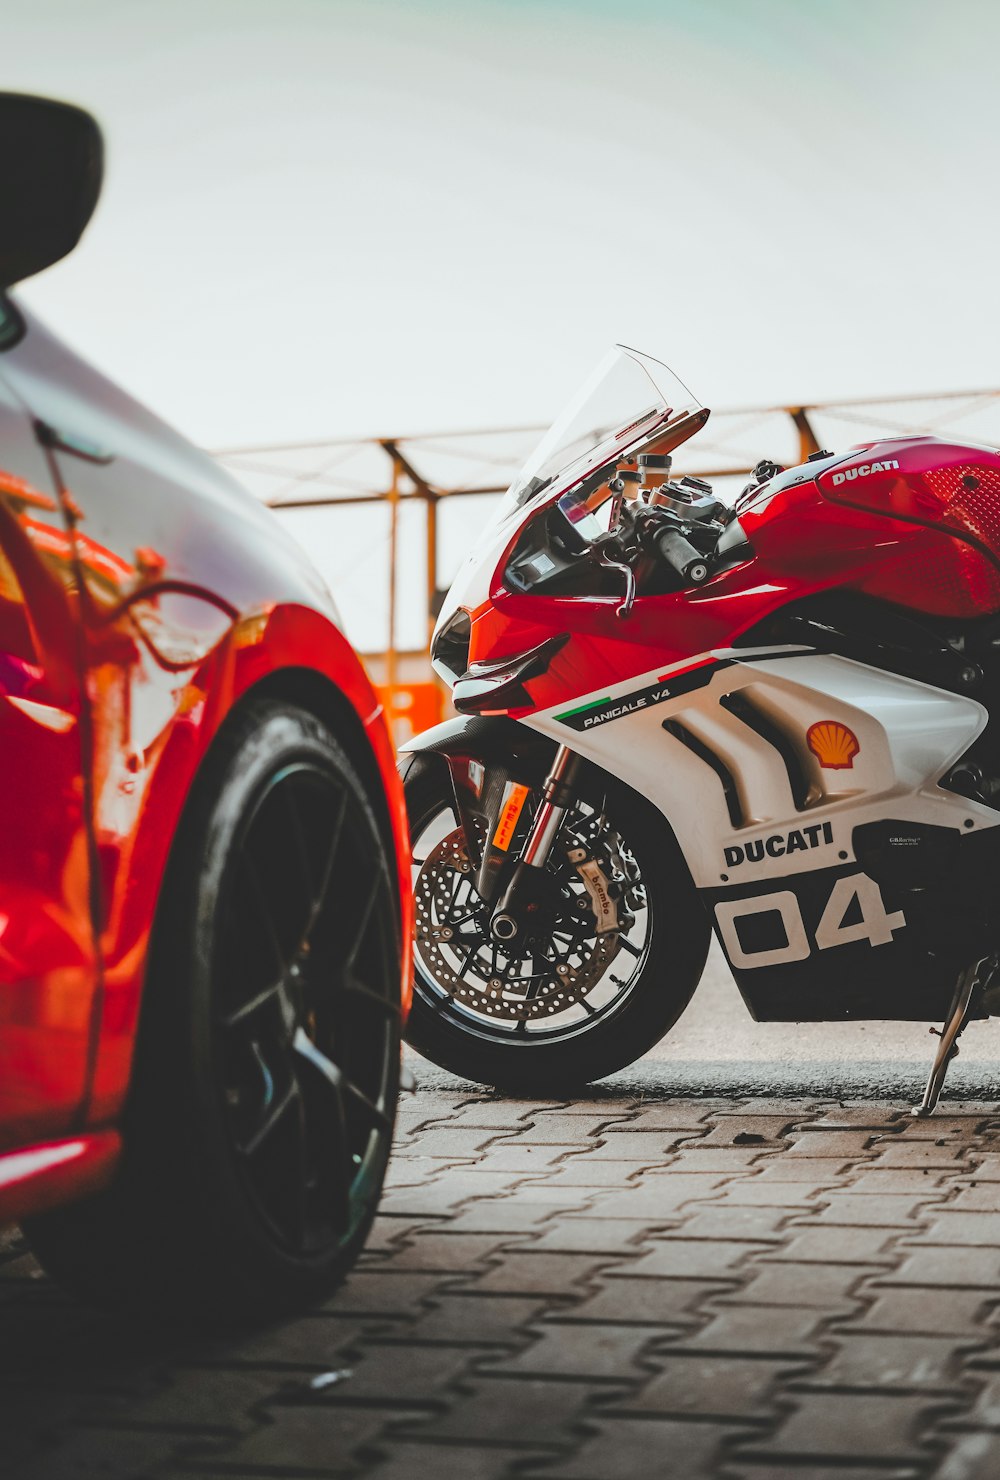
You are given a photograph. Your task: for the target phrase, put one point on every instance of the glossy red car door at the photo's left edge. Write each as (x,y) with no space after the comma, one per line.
(48,957)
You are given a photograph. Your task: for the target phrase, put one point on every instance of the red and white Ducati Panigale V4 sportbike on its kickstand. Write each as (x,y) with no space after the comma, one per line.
(770,720)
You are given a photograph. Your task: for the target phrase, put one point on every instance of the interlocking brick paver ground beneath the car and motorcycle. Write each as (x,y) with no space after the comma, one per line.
(610,1290)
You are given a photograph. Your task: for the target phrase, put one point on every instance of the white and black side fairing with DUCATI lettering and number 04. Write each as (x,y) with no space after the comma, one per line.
(721,747)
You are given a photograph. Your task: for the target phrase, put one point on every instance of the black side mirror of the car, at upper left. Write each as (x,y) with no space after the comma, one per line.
(51,169)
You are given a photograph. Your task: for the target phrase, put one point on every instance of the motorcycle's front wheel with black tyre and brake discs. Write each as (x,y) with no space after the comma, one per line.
(579,1007)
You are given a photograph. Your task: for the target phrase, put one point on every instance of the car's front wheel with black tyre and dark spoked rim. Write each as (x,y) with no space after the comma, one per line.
(264,1090)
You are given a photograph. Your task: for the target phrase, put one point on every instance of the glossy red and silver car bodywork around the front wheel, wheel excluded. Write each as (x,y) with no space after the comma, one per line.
(143,594)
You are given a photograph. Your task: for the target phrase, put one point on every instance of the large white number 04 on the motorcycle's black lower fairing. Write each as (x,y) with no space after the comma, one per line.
(875,926)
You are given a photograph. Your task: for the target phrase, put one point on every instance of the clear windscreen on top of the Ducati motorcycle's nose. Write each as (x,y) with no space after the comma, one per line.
(624,403)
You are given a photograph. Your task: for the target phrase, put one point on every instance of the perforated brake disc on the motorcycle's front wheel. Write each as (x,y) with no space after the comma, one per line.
(455,948)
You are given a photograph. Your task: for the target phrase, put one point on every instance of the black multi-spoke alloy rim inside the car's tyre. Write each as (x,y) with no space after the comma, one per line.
(307,1023)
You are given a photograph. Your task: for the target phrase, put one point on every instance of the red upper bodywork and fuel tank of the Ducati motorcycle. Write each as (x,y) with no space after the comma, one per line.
(922,532)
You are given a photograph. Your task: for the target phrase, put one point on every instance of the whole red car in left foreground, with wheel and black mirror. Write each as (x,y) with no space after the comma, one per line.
(203,859)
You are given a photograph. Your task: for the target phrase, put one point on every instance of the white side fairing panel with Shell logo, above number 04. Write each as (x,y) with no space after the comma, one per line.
(908,736)
